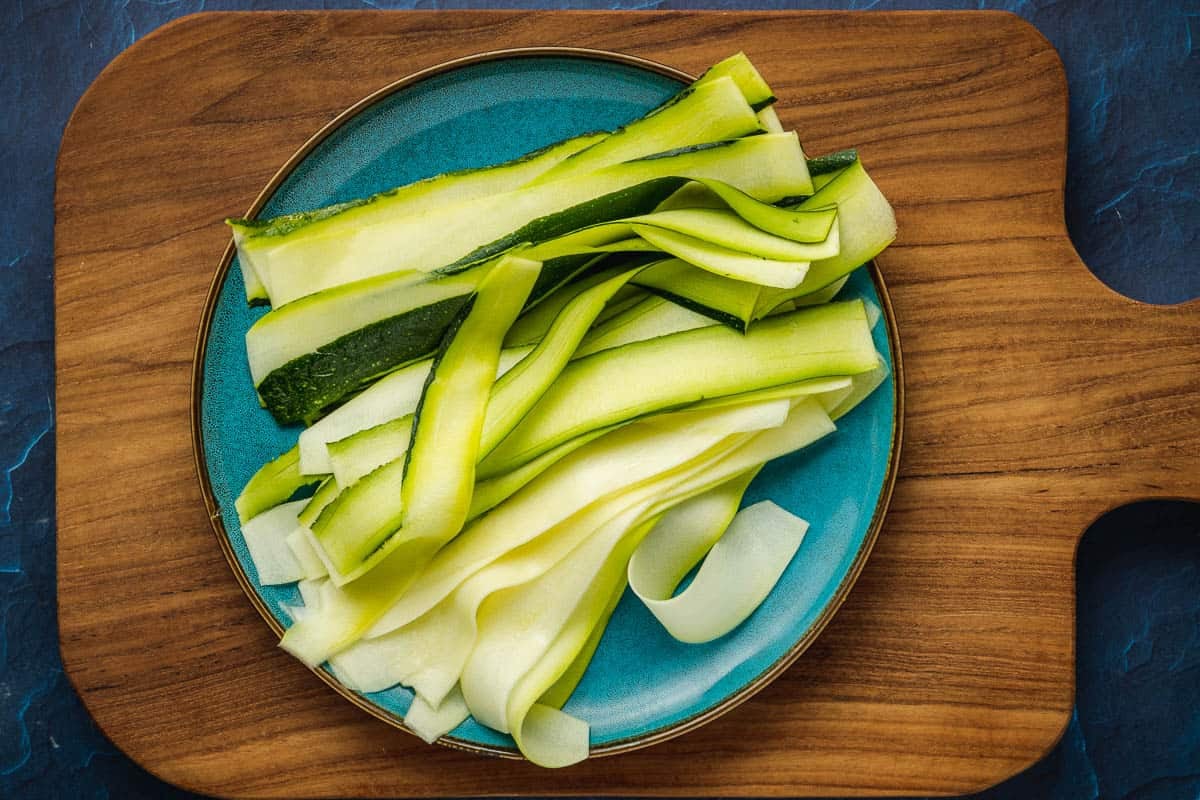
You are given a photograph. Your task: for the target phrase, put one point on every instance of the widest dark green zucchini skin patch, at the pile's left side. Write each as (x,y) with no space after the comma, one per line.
(303,388)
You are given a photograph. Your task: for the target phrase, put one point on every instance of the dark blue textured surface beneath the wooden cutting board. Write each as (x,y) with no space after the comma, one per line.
(1133,212)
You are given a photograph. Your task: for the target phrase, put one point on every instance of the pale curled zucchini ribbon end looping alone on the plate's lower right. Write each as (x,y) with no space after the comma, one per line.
(741,569)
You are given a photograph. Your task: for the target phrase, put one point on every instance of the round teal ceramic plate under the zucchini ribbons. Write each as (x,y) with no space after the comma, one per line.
(643,687)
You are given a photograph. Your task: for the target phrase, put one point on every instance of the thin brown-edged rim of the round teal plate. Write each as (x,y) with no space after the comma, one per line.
(217,524)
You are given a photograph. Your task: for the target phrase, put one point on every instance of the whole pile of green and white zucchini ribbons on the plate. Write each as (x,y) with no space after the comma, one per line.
(531,384)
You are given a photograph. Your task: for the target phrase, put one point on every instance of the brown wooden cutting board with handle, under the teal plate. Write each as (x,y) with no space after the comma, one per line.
(1036,400)
